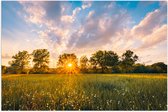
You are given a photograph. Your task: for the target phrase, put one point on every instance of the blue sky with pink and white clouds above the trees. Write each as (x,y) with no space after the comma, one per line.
(82,28)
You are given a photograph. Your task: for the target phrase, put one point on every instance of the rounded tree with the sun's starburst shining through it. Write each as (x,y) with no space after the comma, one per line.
(68,63)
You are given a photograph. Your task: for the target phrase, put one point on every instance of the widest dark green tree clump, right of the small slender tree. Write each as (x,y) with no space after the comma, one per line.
(104,59)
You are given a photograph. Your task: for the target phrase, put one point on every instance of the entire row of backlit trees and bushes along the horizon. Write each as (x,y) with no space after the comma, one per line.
(100,62)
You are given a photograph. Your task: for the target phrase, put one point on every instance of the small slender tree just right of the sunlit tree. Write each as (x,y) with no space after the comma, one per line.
(83,63)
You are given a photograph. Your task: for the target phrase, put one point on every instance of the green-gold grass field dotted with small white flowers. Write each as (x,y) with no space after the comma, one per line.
(84,92)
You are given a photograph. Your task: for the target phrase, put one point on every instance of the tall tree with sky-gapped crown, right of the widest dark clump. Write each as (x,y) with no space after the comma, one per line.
(128,60)
